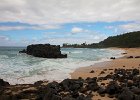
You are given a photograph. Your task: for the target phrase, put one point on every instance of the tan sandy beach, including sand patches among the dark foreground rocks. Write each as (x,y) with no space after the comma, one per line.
(130,60)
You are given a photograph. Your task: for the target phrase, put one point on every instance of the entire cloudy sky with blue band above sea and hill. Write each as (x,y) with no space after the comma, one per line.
(24,22)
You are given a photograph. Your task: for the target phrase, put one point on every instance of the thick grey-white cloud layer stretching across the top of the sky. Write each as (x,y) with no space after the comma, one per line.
(67,11)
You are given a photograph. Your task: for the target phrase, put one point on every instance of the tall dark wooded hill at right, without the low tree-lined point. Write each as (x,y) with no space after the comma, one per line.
(131,39)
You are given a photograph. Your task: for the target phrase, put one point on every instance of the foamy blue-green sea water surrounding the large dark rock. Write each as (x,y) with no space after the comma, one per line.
(21,68)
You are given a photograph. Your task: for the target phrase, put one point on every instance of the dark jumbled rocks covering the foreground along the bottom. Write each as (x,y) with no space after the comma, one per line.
(124,84)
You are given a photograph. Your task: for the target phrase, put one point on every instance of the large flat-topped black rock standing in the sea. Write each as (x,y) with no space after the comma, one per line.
(44,51)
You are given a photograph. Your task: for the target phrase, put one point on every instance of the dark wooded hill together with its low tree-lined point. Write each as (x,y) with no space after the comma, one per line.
(127,40)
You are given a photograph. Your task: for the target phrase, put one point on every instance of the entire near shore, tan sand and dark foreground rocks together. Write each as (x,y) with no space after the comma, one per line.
(109,80)
